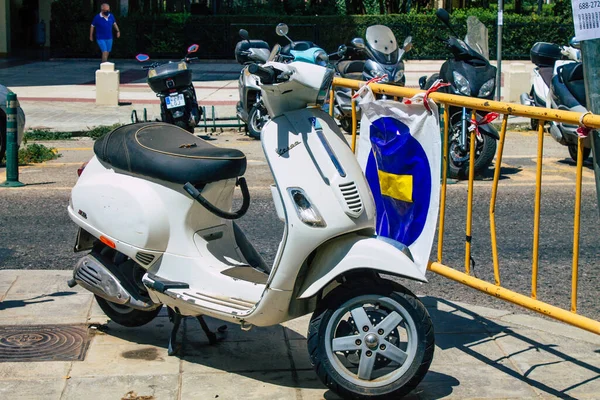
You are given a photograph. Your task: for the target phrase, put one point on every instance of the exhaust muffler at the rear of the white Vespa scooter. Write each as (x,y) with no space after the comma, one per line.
(97,277)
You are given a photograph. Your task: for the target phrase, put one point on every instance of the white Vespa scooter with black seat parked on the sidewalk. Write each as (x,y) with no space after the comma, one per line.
(154,206)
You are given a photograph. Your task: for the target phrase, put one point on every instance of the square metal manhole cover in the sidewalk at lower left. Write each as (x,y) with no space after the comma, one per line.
(43,343)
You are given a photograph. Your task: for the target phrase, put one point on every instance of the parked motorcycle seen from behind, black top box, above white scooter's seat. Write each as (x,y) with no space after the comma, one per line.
(172,83)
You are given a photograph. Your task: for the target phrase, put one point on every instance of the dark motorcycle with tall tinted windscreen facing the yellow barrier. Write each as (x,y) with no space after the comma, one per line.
(469,74)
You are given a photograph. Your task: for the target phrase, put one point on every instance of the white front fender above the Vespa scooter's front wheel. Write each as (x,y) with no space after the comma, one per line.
(354,252)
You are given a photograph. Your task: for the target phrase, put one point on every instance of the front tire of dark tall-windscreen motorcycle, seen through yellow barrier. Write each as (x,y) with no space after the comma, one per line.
(484,155)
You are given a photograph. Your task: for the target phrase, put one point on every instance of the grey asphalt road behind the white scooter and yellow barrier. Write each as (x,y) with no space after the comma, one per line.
(36,233)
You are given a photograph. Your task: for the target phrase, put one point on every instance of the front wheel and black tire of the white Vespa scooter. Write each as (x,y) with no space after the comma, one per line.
(371,341)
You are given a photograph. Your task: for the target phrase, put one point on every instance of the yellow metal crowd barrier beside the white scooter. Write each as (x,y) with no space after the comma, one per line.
(506,109)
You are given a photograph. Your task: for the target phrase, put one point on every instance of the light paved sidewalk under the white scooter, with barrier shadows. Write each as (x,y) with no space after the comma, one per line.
(481,353)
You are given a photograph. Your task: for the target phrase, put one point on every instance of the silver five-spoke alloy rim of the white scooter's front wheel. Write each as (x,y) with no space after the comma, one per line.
(370,340)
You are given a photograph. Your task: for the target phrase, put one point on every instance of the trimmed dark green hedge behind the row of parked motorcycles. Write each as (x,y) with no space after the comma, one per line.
(167,35)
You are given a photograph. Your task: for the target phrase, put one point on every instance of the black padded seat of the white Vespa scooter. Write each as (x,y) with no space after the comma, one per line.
(168,153)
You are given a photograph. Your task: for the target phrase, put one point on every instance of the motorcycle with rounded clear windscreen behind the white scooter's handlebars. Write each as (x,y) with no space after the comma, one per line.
(382,59)
